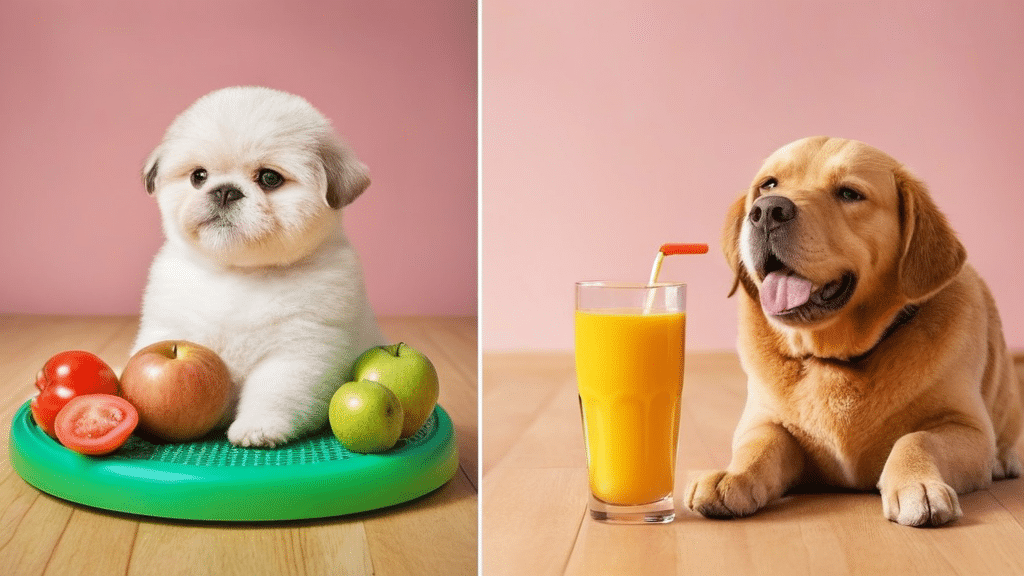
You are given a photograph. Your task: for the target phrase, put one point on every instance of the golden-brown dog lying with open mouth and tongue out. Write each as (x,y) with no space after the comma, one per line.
(874,353)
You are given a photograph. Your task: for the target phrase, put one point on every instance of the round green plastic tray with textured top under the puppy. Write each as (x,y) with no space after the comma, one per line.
(211,480)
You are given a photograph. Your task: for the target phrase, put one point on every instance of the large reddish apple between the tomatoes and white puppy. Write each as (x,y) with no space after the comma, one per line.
(182,390)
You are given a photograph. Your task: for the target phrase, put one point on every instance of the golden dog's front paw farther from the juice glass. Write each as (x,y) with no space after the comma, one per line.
(921,504)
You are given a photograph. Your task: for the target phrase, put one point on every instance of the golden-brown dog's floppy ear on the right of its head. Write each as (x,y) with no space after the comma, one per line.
(932,254)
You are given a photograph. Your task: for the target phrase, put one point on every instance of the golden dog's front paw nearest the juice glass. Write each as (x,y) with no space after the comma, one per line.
(721,495)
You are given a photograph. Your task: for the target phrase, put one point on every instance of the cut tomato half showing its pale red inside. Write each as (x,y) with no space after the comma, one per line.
(96,424)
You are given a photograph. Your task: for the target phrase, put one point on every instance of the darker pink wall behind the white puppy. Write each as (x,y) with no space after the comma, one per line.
(89,89)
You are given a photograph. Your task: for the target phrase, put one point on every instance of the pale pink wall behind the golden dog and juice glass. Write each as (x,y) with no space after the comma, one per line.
(612,128)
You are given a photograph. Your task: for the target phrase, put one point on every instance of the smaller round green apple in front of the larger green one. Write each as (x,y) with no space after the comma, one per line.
(366,417)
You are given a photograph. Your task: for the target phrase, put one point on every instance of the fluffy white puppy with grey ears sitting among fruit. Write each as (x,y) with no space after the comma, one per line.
(251,183)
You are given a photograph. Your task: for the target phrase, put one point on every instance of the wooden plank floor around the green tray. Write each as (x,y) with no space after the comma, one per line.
(40,534)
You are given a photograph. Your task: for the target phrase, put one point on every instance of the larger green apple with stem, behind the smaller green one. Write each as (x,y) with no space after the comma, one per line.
(410,376)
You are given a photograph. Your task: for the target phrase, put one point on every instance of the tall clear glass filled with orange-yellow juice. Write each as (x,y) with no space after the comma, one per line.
(630,342)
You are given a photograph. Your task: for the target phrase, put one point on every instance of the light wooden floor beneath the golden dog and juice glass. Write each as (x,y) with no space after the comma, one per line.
(535,519)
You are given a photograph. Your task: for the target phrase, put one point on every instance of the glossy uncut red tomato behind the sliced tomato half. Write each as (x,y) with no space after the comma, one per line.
(66,376)
